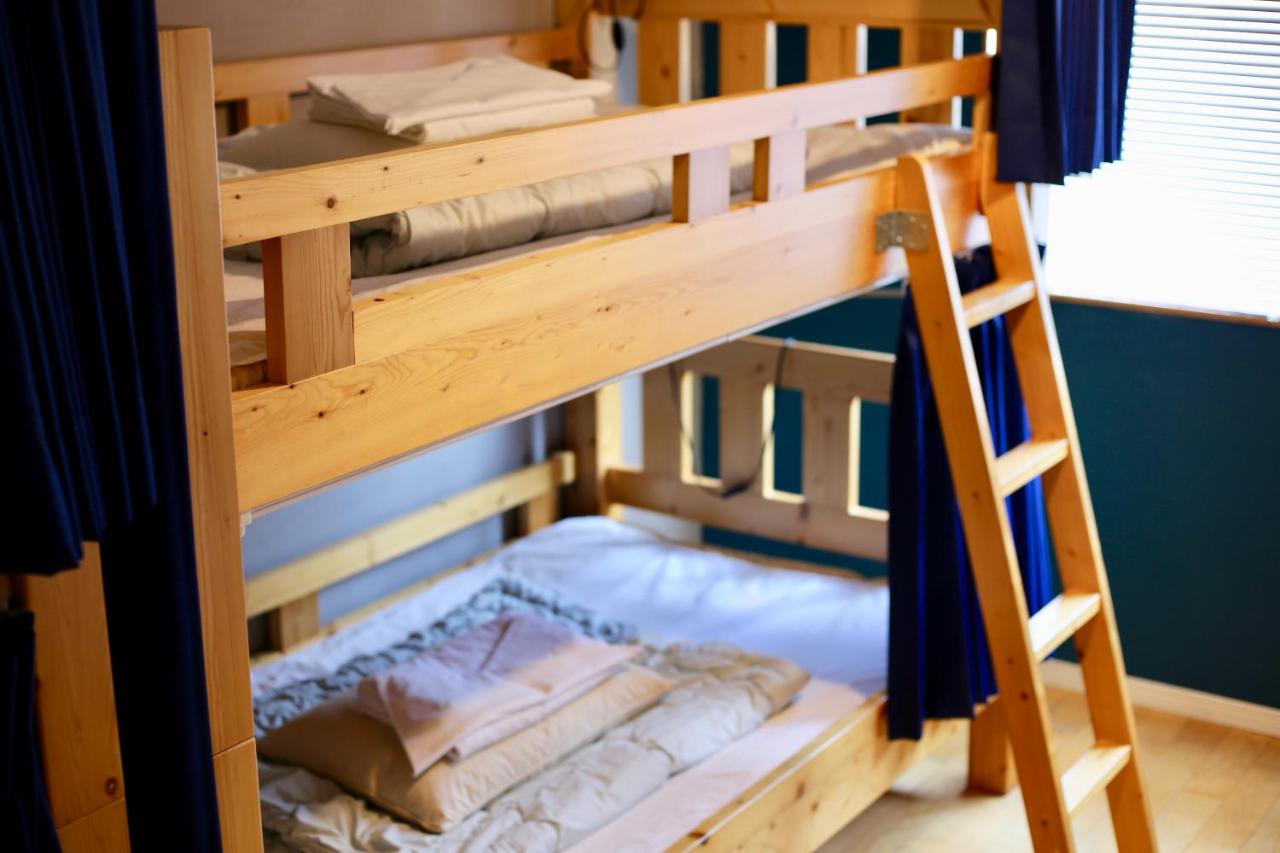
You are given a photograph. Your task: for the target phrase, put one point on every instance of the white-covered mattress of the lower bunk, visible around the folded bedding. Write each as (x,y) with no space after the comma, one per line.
(836,627)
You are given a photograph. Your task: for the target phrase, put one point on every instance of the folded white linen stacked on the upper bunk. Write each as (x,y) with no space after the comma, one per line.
(433,104)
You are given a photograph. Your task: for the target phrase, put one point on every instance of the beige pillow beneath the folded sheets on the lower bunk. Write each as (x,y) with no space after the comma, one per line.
(365,758)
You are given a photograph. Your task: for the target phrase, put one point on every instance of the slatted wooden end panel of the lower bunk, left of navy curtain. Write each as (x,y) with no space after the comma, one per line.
(834,382)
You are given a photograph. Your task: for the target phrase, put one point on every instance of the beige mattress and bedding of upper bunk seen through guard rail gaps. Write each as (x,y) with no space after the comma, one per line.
(513,223)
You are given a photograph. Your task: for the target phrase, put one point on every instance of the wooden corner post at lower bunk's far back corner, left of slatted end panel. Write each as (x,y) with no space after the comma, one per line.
(593,430)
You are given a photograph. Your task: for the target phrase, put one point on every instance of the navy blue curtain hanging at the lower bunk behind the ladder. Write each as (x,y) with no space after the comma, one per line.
(939,664)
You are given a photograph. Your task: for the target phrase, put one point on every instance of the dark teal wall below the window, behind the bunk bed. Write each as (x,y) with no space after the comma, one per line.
(1180,425)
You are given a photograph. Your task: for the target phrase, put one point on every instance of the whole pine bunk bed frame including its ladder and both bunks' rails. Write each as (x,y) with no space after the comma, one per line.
(355,386)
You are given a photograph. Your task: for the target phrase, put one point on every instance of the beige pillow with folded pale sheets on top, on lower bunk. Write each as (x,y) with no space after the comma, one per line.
(440,736)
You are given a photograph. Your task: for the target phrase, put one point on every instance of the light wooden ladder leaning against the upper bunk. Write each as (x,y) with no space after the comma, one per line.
(1020,641)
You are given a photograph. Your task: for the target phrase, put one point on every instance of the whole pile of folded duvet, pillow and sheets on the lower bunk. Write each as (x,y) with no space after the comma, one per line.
(516,733)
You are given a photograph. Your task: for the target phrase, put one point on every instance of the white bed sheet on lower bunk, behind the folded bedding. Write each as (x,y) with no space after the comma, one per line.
(835,627)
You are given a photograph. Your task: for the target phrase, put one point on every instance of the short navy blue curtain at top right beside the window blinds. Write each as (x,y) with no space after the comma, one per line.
(1062,81)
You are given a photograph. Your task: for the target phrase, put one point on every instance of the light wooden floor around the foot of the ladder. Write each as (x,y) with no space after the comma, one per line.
(1212,790)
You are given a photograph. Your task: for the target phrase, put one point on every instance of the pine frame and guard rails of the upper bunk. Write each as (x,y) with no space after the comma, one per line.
(356,384)
